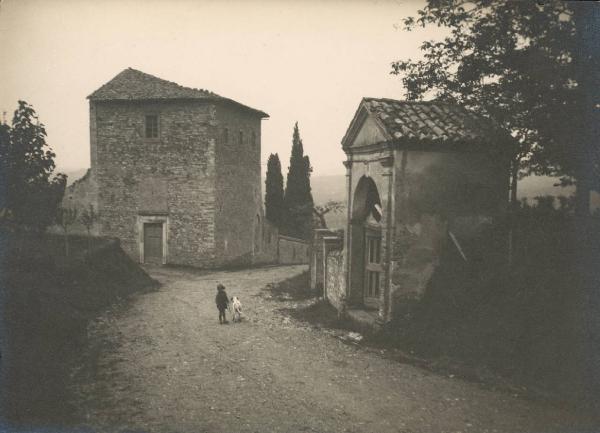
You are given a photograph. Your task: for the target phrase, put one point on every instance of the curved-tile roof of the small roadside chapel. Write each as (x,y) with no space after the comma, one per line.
(429,121)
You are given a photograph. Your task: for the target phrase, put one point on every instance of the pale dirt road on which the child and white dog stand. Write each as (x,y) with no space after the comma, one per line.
(164,364)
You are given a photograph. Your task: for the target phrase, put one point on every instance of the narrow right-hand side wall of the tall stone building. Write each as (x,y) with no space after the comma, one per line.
(239,224)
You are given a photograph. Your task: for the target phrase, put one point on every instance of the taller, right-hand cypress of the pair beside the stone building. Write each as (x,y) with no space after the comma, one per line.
(298,198)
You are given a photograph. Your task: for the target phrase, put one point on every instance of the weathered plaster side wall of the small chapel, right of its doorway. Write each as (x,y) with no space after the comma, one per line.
(437,192)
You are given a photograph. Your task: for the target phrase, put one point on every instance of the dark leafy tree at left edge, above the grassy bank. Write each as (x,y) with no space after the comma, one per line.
(27,165)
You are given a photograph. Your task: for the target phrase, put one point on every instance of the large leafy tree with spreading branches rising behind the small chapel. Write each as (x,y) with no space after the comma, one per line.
(529,66)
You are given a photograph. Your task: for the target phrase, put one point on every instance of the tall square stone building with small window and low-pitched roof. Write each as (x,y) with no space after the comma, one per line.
(177,172)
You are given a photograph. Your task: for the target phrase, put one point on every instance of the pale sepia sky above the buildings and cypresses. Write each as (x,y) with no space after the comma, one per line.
(305,61)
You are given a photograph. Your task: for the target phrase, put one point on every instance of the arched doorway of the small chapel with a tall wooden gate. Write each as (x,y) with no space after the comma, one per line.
(366,258)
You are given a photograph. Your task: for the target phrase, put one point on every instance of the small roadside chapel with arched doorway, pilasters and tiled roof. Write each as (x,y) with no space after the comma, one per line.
(426,182)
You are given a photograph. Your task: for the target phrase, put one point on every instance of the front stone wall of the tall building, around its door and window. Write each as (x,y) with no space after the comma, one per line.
(172,175)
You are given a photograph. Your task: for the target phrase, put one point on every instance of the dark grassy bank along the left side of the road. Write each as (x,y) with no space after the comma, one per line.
(47,300)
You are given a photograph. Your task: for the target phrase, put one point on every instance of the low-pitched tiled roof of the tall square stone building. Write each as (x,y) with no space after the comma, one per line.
(131,84)
